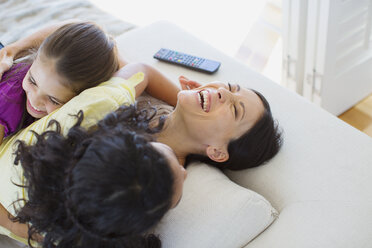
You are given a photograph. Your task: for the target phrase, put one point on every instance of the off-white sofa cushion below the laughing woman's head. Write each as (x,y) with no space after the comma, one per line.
(214,212)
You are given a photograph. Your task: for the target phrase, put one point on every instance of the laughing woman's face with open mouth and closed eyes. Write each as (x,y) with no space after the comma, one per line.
(216,113)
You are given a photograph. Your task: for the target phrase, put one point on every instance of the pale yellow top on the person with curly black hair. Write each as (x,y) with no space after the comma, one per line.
(95,102)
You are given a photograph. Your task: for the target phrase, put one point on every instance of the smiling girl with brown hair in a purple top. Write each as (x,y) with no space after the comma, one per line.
(75,57)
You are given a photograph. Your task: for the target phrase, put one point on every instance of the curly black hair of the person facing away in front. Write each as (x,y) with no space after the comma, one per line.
(102,187)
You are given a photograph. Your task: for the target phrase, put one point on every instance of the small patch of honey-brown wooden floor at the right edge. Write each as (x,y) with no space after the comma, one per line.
(360,116)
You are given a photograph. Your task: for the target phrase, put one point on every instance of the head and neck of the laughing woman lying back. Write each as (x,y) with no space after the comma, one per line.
(224,125)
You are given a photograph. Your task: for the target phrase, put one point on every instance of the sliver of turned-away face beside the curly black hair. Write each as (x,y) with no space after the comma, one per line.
(179,172)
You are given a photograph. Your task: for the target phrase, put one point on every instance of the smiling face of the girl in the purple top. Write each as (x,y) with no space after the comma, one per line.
(44,89)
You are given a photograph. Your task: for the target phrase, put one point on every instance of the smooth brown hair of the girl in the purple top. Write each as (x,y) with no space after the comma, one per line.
(84,55)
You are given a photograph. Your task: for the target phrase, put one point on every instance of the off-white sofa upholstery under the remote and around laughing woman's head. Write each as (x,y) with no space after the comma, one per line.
(321,181)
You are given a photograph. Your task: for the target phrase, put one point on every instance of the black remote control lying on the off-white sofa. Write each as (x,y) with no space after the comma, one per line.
(186,60)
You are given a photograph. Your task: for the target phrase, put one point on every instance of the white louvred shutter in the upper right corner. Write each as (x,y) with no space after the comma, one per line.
(338,64)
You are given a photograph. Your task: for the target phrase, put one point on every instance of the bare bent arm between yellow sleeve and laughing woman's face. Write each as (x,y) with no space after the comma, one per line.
(154,83)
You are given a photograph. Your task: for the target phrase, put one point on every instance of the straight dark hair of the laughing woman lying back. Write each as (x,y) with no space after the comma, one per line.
(255,147)
